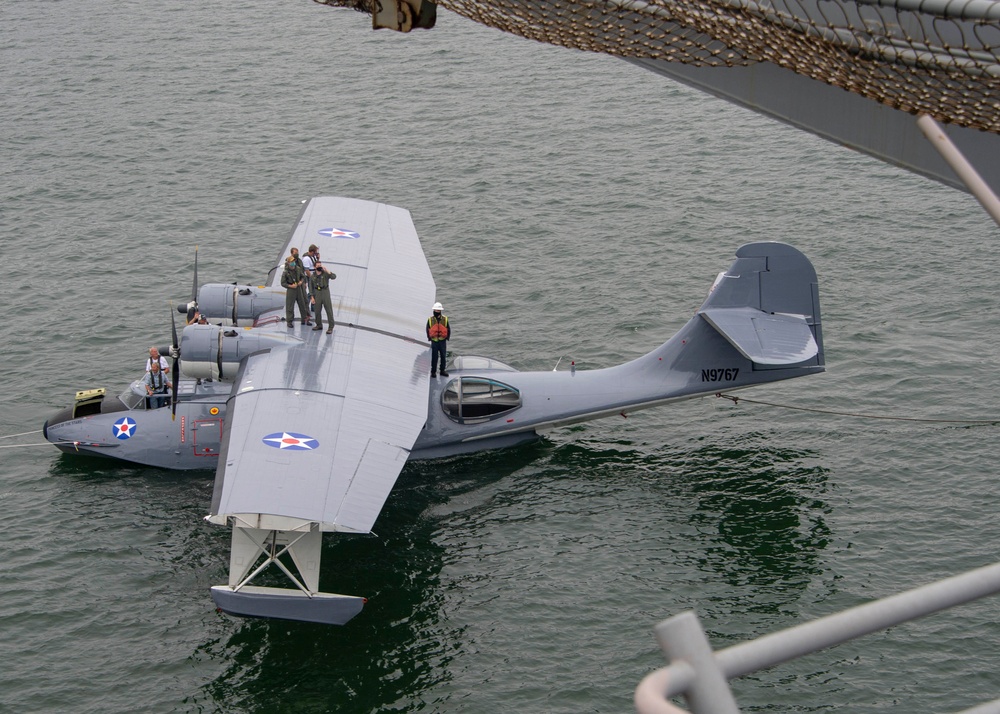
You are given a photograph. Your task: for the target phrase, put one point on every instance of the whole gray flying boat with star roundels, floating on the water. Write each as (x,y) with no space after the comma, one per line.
(308,431)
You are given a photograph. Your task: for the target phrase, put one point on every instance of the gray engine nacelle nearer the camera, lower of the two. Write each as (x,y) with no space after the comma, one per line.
(214,352)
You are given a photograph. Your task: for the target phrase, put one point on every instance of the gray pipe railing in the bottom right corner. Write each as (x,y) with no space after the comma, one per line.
(702,676)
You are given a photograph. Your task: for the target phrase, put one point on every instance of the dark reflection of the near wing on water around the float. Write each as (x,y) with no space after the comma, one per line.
(400,645)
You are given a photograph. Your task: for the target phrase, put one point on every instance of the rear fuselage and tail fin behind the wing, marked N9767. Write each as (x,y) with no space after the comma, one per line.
(760,324)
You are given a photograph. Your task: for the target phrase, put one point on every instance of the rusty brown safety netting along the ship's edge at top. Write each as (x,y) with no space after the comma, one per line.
(935,57)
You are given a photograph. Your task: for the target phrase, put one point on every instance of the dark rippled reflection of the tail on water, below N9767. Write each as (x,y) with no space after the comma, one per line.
(758,508)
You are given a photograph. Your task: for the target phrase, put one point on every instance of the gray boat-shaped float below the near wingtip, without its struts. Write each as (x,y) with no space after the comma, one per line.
(285,604)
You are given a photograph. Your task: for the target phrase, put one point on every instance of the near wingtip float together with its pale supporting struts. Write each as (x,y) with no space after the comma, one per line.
(303,545)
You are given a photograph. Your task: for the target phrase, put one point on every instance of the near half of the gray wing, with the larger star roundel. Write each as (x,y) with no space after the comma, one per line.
(320,433)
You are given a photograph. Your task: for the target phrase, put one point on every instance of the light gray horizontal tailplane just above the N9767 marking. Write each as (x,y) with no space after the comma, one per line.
(764,338)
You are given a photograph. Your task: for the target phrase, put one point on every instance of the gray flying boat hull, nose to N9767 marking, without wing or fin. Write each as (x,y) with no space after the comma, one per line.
(481,404)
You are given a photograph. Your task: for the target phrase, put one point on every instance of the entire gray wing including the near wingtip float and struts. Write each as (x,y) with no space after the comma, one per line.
(318,428)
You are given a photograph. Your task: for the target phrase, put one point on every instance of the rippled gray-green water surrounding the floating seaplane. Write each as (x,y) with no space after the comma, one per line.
(572,207)
